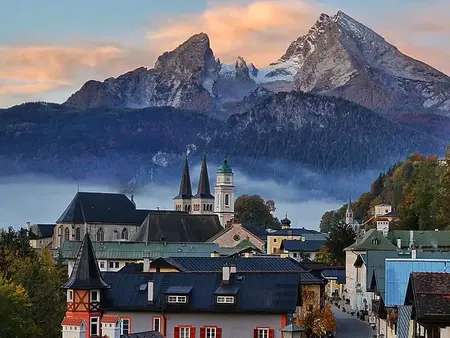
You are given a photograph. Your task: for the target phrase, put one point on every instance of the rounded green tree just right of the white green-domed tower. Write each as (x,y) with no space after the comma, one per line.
(253,210)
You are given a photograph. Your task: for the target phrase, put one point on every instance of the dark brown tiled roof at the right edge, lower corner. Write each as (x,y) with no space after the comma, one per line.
(429,293)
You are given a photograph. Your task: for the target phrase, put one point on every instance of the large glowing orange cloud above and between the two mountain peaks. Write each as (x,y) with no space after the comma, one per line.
(260,31)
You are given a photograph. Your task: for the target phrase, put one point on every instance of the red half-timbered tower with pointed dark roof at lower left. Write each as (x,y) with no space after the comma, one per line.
(84,291)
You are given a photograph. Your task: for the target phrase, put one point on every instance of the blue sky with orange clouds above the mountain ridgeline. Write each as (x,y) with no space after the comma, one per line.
(48,48)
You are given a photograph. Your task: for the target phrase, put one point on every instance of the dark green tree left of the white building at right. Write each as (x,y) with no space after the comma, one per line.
(339,238)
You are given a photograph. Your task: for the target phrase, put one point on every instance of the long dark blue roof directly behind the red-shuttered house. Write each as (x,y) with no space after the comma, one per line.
(255,264)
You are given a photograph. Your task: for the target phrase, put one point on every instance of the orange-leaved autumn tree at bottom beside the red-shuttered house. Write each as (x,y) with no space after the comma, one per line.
(317,323)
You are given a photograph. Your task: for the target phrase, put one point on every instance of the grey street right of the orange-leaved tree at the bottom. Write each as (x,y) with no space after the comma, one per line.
(351,327)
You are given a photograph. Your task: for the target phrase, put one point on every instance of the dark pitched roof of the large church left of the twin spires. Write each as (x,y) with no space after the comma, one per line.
(95,207)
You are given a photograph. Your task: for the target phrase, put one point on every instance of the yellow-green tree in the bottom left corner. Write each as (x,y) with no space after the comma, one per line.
(15,310)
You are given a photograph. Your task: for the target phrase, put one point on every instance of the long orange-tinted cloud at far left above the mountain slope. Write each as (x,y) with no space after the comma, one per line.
(39,69)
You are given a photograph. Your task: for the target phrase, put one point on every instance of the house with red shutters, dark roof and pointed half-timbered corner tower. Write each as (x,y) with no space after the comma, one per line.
(216,304)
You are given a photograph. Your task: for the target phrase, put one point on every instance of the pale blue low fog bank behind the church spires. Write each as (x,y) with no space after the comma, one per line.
(42,199)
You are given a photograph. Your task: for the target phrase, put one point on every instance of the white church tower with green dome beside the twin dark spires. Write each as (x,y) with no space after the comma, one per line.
(224,191)
